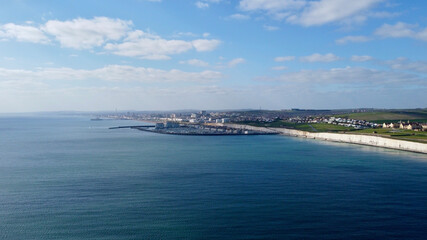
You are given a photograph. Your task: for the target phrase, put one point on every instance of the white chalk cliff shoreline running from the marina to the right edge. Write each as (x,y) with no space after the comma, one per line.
(375,141)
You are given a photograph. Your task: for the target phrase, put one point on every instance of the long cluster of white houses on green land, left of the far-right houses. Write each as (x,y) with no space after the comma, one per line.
(347,122)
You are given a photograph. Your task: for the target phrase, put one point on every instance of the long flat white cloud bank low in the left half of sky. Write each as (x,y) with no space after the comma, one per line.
(117,73)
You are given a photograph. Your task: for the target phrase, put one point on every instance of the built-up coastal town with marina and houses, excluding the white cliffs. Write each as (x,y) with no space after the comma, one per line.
(218,122)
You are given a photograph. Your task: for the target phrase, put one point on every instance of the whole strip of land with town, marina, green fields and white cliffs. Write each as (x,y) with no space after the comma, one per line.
(401,129)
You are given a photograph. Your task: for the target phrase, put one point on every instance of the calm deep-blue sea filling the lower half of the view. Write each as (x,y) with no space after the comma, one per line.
(71,178)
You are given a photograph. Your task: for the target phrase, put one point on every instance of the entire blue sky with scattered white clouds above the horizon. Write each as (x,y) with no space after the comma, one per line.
(74,55)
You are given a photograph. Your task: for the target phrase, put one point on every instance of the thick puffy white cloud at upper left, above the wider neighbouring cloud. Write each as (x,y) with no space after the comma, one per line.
(83,33)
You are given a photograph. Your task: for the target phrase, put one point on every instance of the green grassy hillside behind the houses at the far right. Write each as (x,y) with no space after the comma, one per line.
(389,116)
